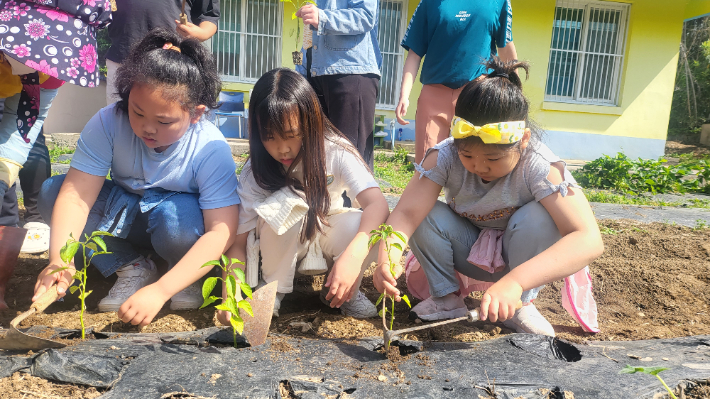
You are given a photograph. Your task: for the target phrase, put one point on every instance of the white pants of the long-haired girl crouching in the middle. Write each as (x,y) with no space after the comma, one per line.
(280,254)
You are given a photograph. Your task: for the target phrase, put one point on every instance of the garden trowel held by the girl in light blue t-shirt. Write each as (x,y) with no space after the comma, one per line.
(14,339)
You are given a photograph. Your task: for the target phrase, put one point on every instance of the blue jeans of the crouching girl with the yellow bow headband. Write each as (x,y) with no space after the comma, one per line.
(444,239)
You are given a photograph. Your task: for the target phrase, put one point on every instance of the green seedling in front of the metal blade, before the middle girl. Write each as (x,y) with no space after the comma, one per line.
(235,283)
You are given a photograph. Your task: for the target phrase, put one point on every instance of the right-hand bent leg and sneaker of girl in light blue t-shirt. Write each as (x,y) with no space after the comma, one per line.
(174,226)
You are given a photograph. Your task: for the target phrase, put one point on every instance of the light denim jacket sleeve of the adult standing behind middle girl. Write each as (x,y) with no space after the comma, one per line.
(358,17)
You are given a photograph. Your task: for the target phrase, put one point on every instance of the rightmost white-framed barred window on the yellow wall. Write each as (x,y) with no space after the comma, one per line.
(587,52)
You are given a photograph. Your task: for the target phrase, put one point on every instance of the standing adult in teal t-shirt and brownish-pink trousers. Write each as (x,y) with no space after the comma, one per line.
(457,37)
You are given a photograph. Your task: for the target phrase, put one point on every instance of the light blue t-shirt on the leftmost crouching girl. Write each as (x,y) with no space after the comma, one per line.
(200,162)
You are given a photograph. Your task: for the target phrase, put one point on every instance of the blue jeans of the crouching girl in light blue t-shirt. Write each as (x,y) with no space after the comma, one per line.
(170,228)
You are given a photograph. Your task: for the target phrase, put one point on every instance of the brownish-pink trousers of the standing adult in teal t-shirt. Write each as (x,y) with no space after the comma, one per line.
(433,118)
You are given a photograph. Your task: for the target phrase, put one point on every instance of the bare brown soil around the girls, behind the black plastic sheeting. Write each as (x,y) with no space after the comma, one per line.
(651,282)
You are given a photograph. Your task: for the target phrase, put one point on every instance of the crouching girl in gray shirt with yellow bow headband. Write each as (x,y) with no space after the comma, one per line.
(514,216)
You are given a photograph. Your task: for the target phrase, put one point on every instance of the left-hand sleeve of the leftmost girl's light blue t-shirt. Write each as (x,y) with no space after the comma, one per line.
(94,150)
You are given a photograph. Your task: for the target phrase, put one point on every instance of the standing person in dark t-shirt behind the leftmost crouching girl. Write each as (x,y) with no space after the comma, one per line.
(133,19)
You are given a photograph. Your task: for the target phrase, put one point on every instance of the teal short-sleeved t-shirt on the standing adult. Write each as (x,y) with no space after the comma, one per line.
(457,36)
